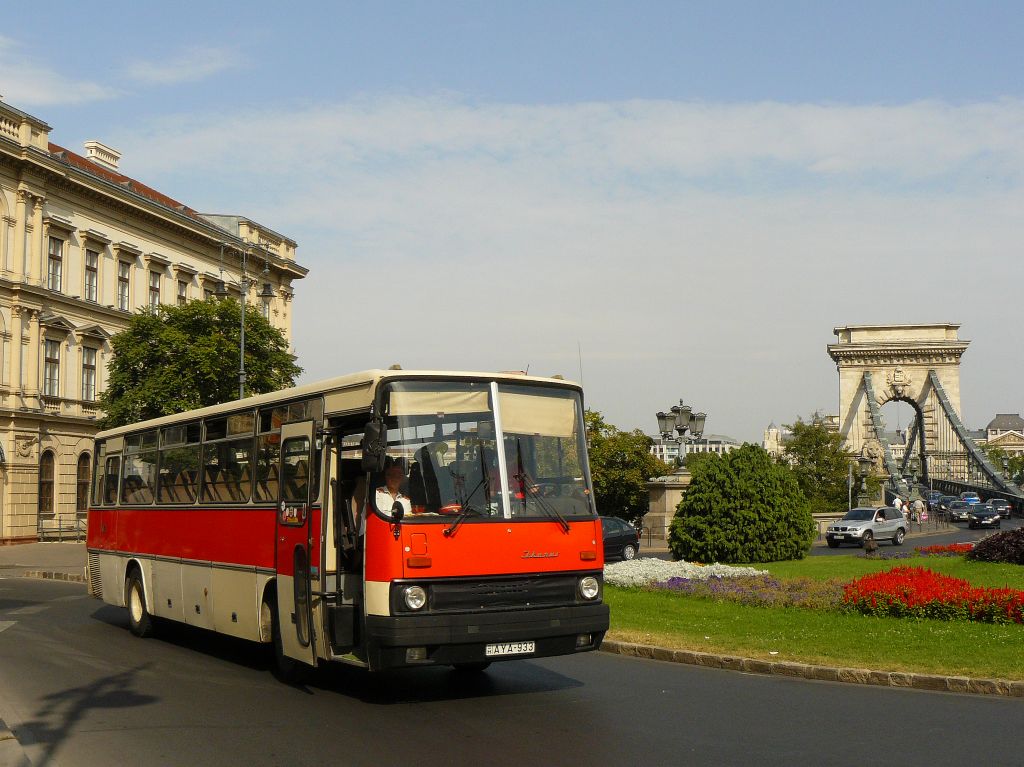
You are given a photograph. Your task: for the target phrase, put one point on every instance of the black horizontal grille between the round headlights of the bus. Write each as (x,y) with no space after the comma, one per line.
(520,592)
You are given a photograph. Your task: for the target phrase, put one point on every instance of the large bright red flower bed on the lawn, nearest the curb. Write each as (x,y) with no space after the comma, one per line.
(918,592)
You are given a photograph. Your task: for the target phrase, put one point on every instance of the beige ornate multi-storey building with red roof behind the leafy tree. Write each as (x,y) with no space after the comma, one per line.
(82,248)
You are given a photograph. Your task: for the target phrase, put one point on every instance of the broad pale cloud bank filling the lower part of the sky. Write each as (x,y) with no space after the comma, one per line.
(693,250)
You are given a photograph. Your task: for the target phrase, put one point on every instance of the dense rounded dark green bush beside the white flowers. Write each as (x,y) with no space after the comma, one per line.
(742,507)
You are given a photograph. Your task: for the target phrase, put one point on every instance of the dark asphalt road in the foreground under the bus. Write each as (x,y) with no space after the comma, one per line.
(77,689)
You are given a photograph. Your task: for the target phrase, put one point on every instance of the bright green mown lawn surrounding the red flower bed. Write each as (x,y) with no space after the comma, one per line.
(827,637)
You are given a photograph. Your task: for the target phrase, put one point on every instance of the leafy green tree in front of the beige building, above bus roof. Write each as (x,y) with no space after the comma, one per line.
(181,358)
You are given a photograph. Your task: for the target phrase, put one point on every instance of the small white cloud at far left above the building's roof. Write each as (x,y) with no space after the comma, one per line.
(27,82)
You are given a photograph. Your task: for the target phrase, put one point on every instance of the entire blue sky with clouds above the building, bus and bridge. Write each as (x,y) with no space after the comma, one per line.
(695,194)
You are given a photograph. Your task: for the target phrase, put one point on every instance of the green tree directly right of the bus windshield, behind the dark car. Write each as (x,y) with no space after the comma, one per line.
(621,464)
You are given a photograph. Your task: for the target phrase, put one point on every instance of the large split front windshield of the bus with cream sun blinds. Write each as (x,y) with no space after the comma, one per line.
(485,451)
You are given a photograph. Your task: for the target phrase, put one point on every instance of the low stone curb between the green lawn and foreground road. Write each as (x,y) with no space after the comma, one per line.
(906,680)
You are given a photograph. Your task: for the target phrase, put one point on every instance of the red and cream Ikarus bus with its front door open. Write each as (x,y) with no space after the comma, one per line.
(283,519)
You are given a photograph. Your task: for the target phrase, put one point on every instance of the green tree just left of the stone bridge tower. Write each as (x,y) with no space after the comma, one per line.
(821,464)
